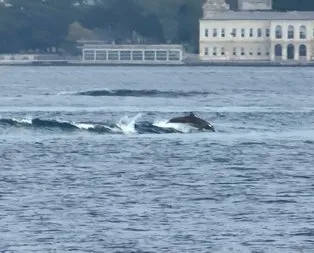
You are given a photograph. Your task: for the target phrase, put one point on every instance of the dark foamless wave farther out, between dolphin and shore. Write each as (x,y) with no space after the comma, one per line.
(142,93)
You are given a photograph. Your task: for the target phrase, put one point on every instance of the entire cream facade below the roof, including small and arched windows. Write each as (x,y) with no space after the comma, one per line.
(257,40)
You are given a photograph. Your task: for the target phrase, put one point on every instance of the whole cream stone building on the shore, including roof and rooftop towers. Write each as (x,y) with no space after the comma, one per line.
(255,33)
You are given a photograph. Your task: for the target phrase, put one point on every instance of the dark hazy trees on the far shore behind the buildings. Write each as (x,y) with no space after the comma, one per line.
(38,24)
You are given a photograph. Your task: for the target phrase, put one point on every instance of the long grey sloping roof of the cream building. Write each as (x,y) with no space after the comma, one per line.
(262,15)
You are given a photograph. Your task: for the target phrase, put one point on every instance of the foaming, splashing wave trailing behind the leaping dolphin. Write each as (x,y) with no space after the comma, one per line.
(126,125)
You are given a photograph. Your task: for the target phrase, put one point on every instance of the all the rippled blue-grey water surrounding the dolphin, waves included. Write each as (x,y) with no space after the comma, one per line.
(88,162)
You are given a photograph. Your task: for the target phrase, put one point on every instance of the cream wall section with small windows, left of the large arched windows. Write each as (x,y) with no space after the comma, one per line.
(234,40)
